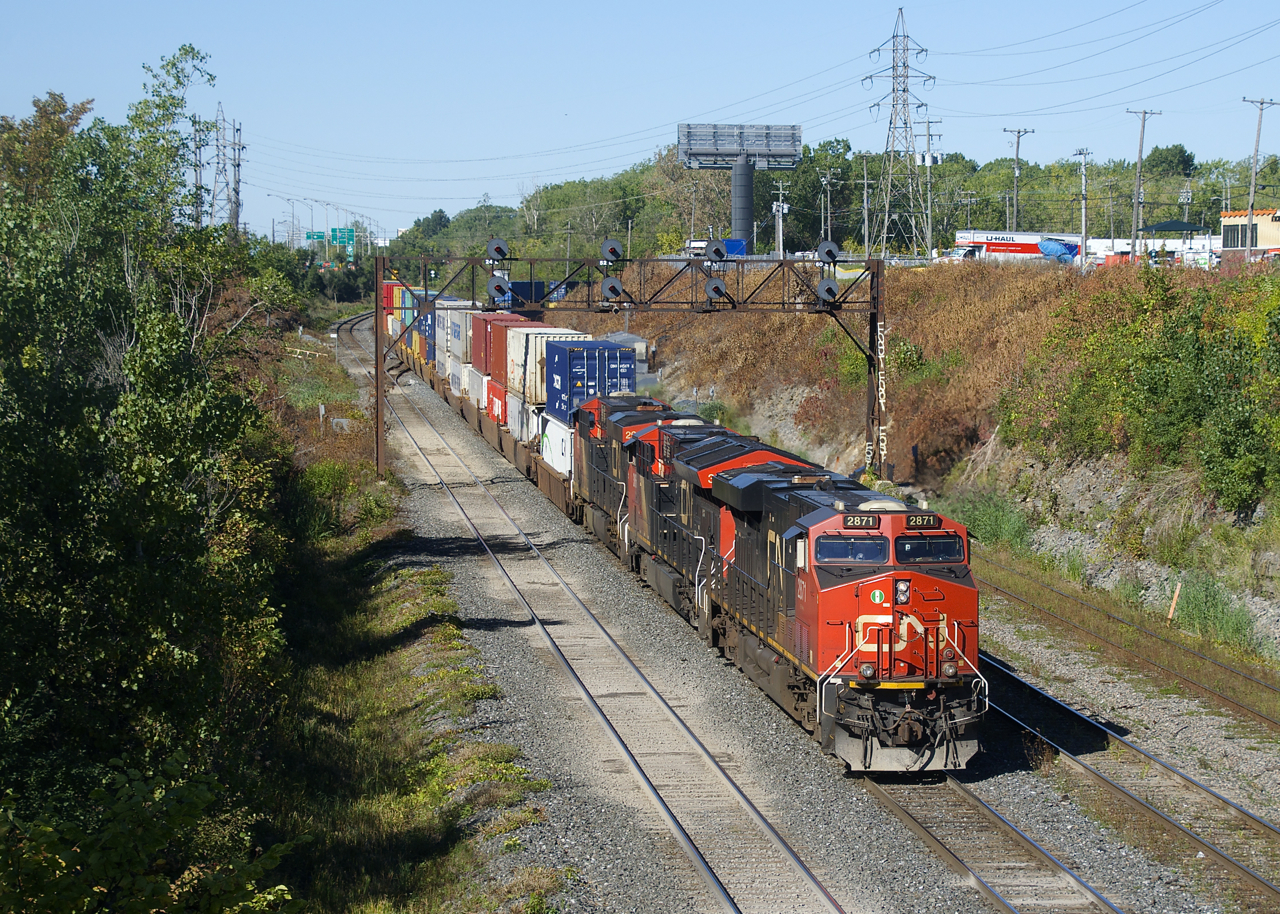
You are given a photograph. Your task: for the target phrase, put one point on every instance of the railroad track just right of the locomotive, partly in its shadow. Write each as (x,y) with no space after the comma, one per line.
(1163,802)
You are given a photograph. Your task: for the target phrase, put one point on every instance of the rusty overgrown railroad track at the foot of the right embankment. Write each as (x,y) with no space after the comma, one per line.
(1236,689)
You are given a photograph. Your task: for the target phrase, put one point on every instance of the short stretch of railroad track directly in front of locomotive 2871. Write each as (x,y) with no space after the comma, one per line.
(990,853)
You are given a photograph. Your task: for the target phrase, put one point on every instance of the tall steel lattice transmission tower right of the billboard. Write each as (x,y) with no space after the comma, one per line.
(900,211)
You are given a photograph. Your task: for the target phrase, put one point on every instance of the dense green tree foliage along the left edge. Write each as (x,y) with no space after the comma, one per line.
(138,536)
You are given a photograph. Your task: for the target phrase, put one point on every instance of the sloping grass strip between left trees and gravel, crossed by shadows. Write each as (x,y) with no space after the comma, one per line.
(403,808)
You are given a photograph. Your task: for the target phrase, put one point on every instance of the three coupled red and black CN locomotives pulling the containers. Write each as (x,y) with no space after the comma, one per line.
(856,613)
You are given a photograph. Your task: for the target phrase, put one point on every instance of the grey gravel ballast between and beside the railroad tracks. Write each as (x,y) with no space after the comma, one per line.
(598,824)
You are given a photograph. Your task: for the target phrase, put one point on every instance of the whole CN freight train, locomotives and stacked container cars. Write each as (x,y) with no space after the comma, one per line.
(854,611)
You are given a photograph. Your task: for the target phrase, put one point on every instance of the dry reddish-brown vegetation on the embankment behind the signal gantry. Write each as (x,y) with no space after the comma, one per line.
(968,331)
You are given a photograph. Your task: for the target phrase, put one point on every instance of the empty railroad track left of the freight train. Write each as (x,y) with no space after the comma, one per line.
(746,863)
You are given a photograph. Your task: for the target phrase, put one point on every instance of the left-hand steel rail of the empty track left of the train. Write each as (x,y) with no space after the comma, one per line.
(682,837)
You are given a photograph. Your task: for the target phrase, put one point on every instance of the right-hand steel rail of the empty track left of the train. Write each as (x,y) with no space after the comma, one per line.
(729,783)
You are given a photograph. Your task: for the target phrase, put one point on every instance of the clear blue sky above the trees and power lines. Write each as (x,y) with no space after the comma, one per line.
(396,109)
